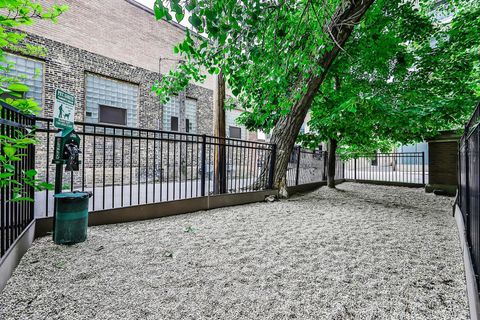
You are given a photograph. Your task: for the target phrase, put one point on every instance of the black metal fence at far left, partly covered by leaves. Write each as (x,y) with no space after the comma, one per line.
(15,216)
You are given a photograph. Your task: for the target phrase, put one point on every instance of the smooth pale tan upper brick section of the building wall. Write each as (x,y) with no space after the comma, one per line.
(119,29)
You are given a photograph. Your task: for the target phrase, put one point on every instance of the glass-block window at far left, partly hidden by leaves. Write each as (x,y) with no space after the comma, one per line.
(29,72)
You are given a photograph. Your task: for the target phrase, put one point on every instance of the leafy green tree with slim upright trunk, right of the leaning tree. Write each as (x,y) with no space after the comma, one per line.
(367,105)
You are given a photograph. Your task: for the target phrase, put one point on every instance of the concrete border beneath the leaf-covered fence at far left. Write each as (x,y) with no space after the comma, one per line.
(14,254)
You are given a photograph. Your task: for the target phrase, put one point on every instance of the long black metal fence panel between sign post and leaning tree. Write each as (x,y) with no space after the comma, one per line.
(125,166)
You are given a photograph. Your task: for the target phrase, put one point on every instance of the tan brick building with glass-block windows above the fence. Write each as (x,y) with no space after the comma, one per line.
(109,54)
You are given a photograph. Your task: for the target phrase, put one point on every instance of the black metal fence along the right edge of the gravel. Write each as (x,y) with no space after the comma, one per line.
(468,198)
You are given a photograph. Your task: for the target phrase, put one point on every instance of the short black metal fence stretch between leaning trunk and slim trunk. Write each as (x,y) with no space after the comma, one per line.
(307,166)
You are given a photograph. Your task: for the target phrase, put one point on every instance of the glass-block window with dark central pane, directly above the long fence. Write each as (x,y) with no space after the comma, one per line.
(110,101)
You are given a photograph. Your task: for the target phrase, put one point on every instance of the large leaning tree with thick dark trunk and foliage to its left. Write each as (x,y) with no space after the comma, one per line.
(274,55)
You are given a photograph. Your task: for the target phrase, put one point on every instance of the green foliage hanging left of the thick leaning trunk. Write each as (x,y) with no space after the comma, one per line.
(265,49)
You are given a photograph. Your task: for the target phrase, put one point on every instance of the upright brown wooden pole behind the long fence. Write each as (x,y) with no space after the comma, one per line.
(220,165)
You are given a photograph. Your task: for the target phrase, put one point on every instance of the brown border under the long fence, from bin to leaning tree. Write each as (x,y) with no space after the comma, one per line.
(161,209)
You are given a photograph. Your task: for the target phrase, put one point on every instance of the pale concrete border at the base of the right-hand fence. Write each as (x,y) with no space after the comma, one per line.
(472,289)
